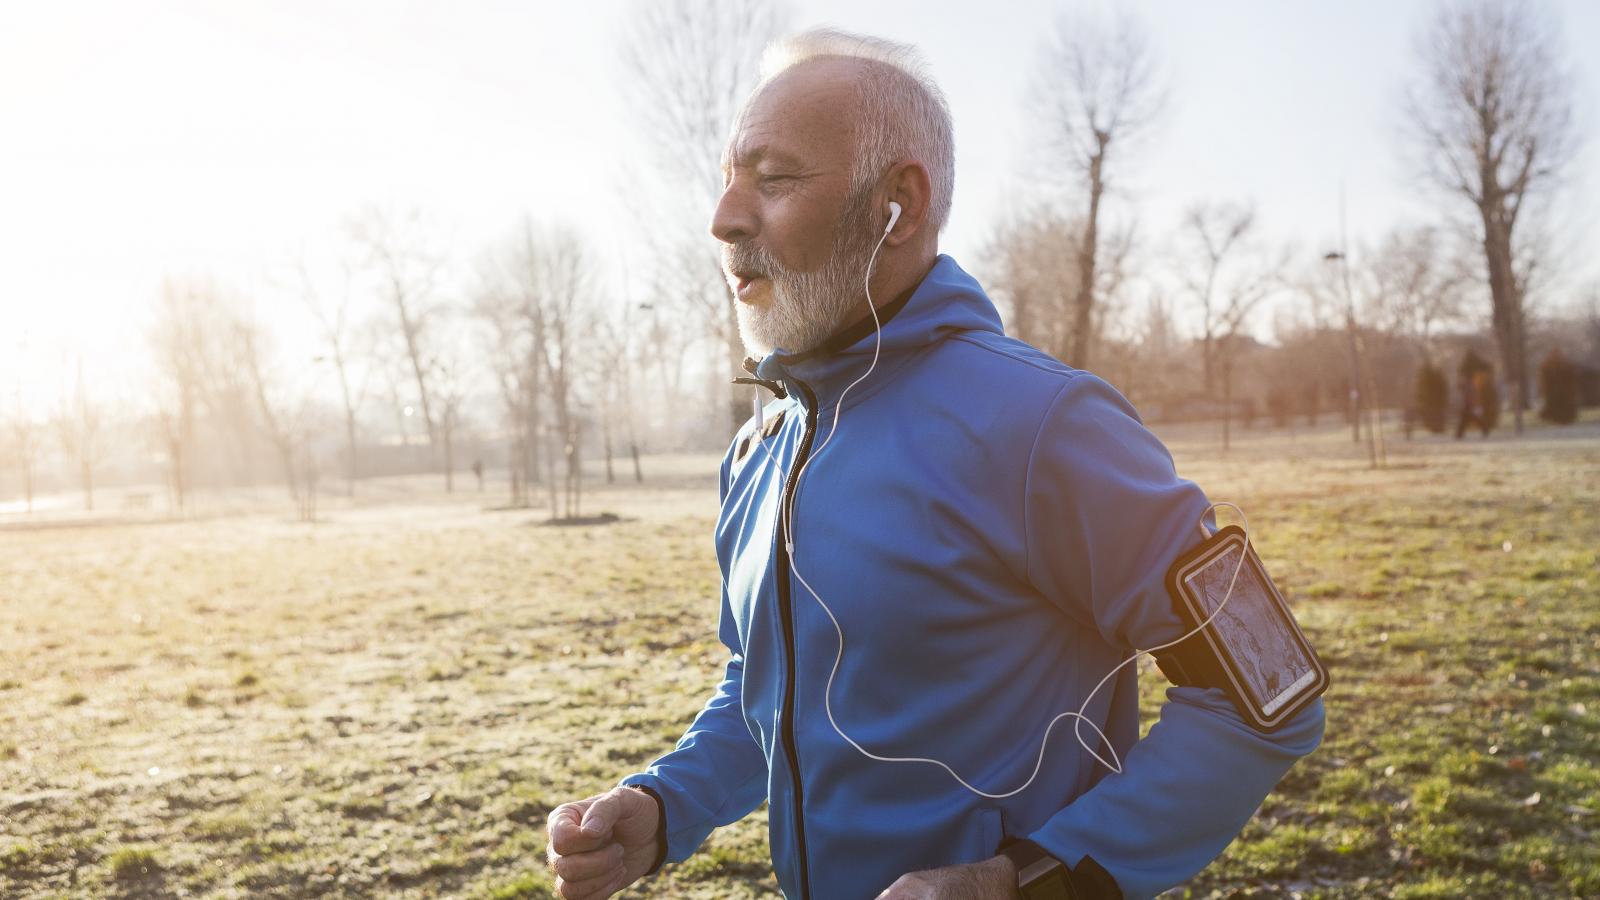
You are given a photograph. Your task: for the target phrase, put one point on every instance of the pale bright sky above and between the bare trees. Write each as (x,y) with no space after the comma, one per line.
(199,139)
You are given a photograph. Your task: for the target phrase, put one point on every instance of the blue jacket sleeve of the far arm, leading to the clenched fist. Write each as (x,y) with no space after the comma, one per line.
(718,773)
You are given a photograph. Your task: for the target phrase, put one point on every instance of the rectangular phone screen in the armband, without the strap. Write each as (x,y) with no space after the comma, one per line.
(1255,633)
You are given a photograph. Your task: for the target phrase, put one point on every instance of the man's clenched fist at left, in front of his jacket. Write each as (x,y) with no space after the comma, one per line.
(602,845)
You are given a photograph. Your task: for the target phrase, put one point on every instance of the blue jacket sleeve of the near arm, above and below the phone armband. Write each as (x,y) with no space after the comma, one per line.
(1106,515)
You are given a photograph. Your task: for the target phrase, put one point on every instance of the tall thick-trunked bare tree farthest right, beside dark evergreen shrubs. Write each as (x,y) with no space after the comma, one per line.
(1494,116)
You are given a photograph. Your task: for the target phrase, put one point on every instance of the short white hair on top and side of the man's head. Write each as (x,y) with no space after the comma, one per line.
(903,111)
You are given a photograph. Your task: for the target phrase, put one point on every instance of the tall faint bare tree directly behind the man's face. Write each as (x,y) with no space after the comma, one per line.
(689,68)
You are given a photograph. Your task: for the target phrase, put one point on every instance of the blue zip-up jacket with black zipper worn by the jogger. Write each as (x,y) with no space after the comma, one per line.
(991,529)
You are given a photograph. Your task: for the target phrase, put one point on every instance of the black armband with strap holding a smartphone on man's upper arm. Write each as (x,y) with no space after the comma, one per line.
(1254,649)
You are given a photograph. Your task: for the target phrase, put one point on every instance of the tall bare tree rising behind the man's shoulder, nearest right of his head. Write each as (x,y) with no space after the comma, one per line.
(1098,90)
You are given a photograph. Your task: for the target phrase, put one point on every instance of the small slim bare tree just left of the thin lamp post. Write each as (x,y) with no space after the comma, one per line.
(1228,279)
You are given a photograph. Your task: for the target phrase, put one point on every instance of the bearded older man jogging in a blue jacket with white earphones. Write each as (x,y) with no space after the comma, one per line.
(935,542)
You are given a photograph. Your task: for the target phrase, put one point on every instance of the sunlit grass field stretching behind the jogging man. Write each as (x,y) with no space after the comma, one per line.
(390,702)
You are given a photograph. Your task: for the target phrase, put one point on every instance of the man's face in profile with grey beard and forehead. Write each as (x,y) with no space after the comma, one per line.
(796,238)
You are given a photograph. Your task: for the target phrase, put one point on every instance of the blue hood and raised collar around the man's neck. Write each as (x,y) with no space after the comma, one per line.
(946,302)
